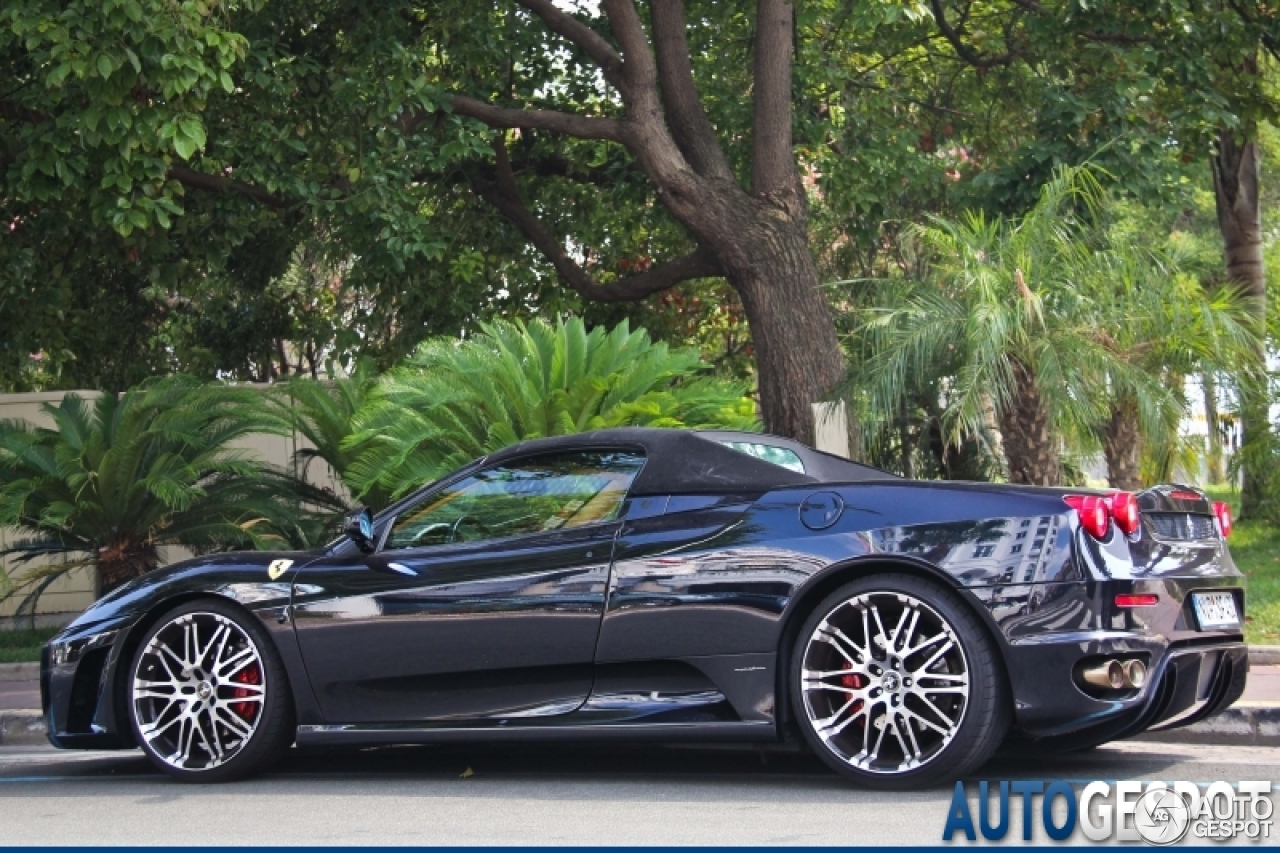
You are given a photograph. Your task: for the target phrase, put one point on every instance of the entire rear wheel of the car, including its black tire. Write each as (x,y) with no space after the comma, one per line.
(897,685)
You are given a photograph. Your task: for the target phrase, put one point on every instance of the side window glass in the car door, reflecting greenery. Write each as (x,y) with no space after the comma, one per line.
(551,492)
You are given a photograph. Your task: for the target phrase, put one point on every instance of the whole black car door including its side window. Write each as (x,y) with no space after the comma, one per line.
(483,603)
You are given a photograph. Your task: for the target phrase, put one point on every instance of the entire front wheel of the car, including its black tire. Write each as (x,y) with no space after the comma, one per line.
(208,696)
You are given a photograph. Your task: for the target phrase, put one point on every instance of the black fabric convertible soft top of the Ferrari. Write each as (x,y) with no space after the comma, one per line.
(684,462)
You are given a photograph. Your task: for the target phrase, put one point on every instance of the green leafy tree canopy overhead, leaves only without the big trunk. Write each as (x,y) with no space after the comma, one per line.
(227,176)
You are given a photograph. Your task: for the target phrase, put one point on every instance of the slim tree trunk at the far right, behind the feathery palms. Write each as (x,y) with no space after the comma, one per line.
(1237,177)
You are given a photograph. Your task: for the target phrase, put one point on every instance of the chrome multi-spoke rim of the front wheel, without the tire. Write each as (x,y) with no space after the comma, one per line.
(198,691)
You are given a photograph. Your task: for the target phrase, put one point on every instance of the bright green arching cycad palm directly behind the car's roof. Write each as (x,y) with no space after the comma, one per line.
(455,402)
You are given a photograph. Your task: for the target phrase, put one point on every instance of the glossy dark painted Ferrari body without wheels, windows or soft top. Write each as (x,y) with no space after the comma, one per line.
(674,621)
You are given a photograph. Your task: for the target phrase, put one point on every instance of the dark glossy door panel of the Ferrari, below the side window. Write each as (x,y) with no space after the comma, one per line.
(481,630)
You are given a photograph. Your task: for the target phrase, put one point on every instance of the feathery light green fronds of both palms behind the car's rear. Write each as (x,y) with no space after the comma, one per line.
(1095,322)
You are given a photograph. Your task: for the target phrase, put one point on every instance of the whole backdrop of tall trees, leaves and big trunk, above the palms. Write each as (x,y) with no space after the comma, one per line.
(254,190)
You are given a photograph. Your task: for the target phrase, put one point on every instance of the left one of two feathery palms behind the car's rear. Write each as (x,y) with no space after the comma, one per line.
(1000,321)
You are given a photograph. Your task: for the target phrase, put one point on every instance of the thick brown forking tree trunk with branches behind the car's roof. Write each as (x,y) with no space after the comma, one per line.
(758,239)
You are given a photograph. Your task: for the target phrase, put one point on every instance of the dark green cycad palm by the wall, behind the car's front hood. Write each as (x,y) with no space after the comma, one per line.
(118,480)
